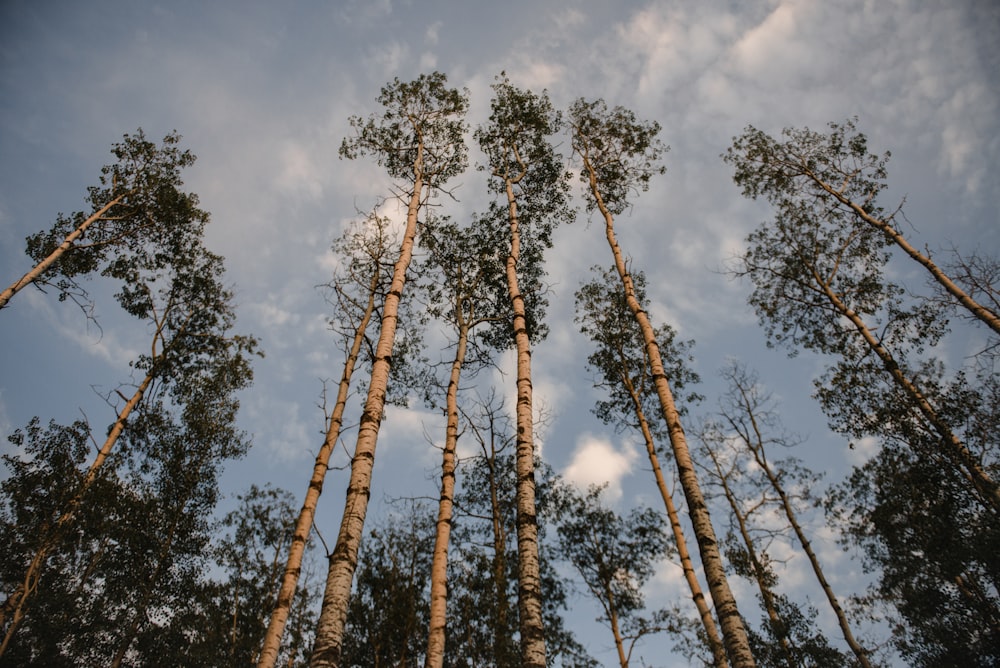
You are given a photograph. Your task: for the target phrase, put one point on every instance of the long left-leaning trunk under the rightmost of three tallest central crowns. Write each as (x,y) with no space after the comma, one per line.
(733,631)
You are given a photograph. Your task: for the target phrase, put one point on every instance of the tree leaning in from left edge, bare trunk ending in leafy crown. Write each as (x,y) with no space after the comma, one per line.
(137,210)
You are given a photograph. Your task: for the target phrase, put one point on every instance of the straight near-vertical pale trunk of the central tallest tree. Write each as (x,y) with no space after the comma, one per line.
(529,578)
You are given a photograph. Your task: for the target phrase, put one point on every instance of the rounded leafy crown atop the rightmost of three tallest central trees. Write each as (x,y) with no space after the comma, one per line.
(623,151)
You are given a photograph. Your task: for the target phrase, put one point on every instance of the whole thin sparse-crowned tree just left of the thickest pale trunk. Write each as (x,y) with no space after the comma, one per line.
(359,288)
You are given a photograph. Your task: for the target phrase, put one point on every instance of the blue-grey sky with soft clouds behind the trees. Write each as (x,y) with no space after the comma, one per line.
(262,93)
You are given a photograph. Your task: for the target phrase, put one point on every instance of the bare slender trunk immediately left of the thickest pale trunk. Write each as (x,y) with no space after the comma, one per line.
(293,567)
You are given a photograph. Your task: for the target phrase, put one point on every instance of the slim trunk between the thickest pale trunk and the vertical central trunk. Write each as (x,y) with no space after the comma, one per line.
(439,564)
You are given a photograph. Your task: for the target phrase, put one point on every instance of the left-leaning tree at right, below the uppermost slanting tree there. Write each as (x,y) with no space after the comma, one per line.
(820,283)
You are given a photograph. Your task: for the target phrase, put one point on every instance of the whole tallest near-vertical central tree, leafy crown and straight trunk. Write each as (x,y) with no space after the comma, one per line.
(528,176)
